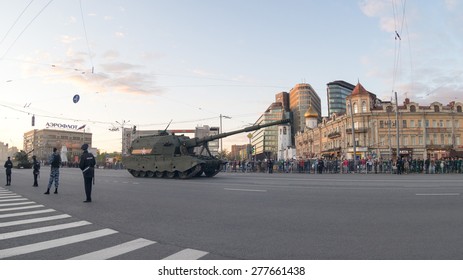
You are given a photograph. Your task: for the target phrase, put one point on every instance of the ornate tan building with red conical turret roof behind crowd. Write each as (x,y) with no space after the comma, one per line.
(432,131)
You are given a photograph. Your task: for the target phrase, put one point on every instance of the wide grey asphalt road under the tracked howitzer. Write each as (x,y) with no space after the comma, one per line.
(245,216)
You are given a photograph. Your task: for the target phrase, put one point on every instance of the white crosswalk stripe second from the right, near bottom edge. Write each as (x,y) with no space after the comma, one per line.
(114,251)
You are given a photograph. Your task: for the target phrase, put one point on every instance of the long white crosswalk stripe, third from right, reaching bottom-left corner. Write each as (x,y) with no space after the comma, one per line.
(15,251)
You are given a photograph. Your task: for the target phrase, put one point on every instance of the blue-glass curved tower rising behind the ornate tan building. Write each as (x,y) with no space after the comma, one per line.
(336,93)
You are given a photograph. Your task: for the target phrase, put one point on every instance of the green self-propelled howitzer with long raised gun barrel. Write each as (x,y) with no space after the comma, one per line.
(173,156)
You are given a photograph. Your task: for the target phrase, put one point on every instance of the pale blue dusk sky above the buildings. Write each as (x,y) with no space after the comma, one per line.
(150,62)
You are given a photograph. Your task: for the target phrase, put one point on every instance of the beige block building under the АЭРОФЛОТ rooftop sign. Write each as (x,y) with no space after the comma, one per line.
(41,142)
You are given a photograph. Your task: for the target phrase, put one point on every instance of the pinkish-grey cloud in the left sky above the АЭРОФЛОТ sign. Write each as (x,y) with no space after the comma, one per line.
(110,76)
